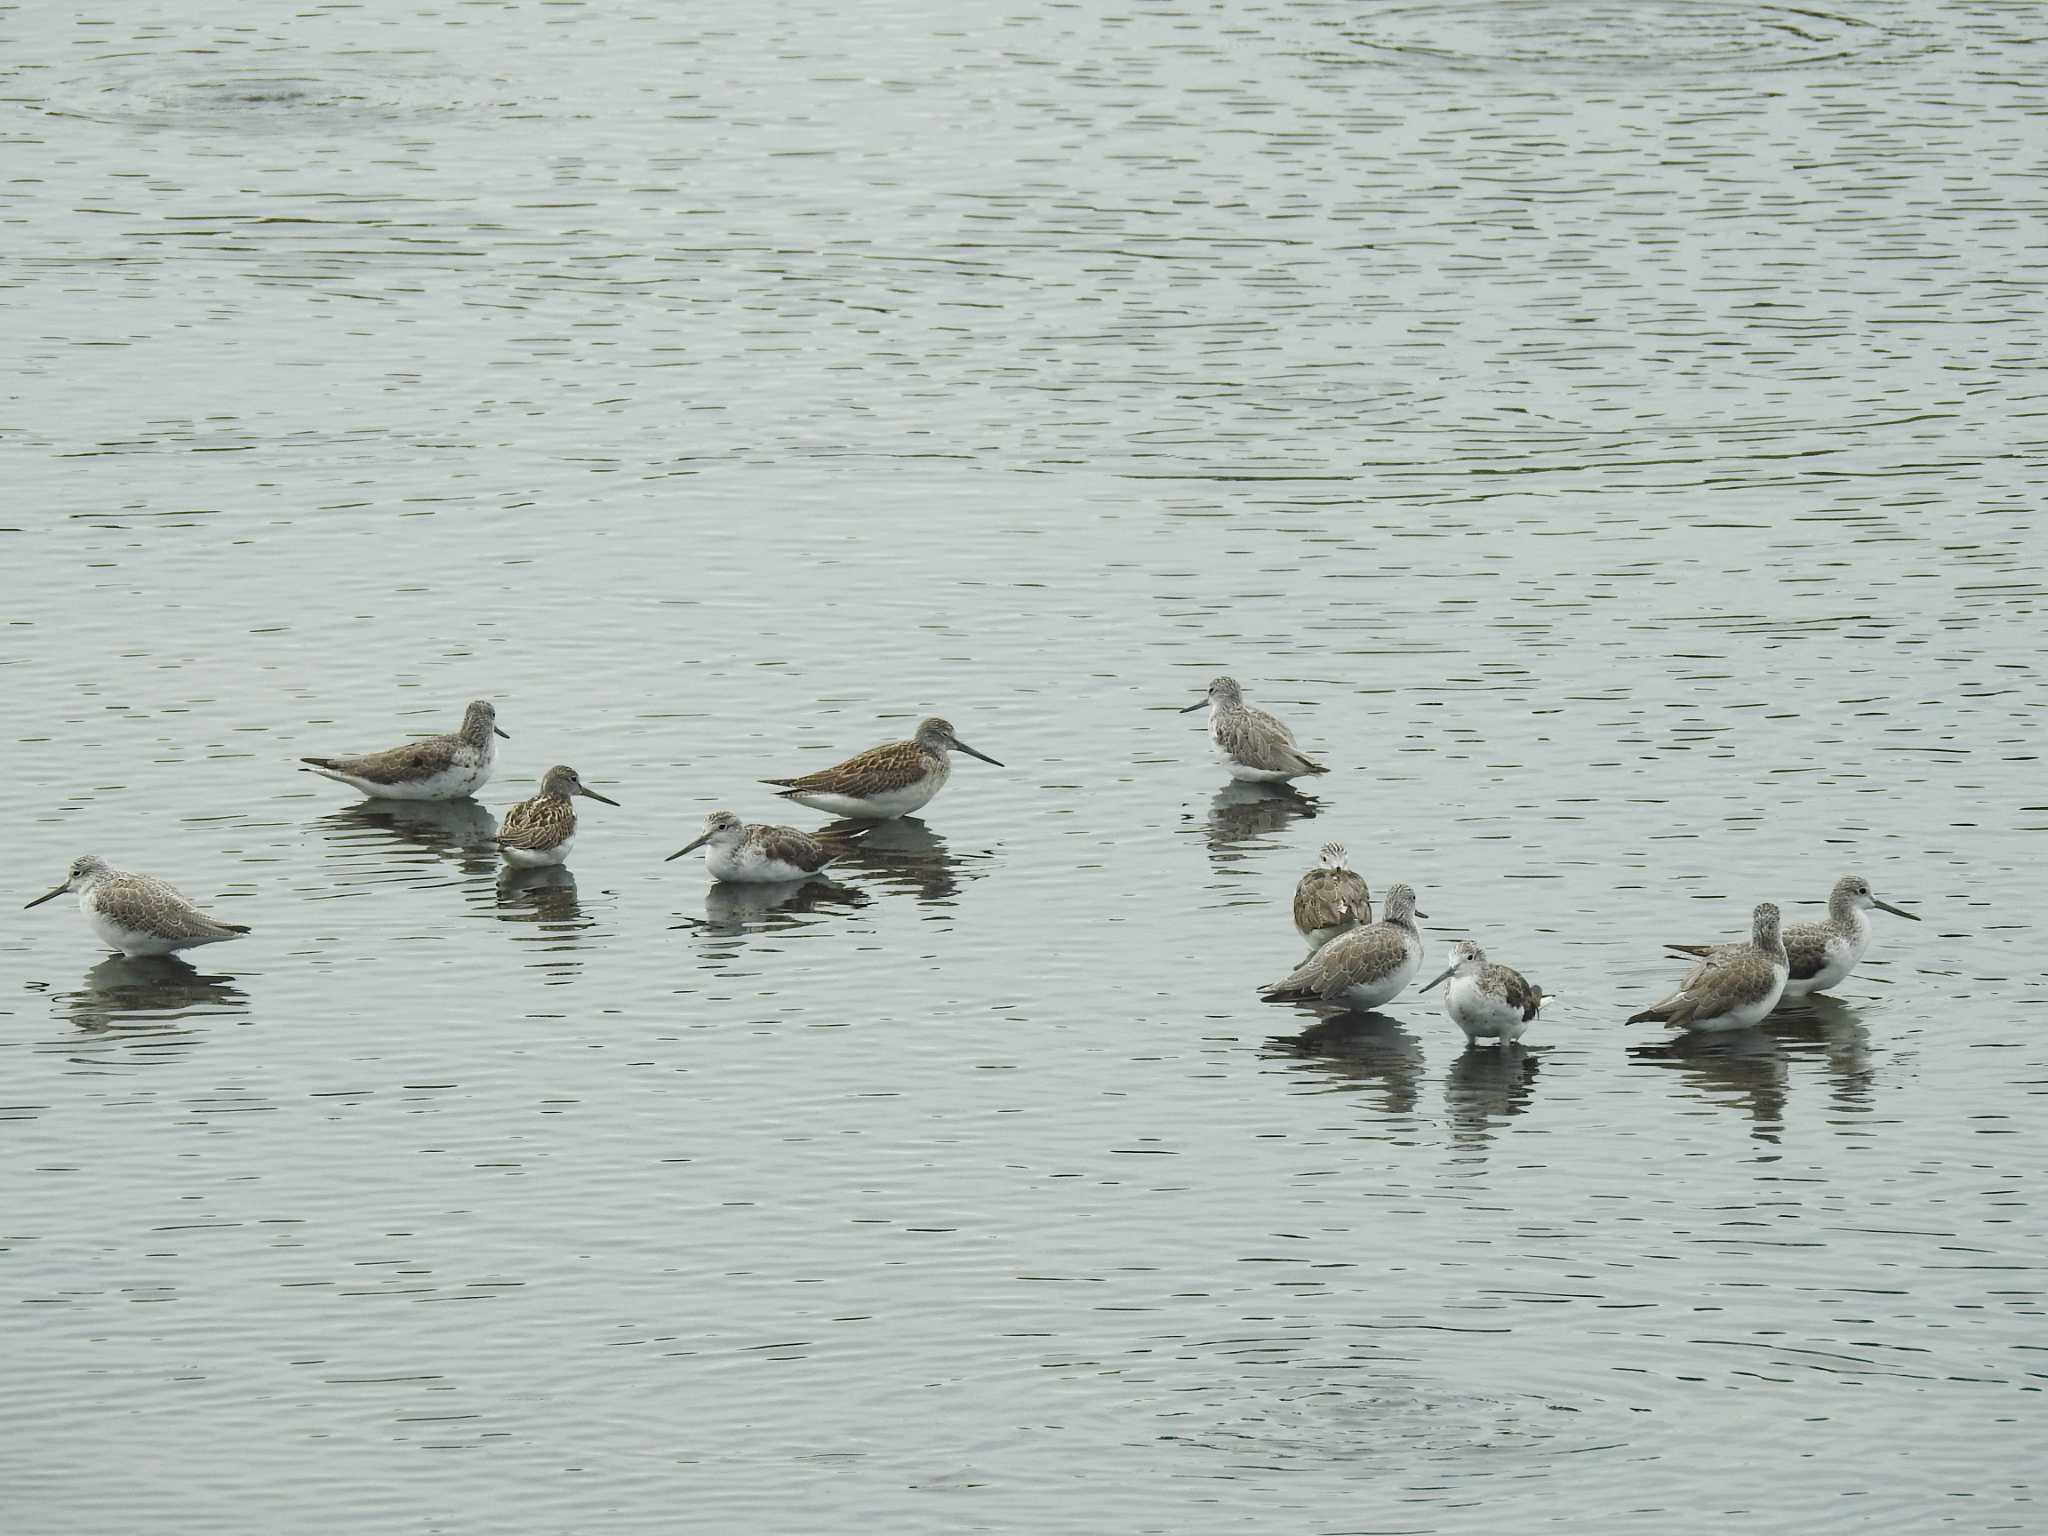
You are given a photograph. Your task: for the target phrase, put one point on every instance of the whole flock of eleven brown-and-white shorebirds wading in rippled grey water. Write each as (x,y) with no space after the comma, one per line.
(1353,959)
